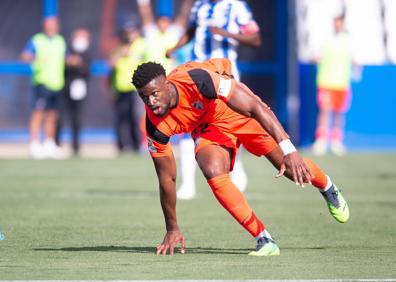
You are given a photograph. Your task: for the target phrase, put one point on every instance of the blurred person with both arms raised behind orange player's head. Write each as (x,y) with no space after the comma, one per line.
(162,34)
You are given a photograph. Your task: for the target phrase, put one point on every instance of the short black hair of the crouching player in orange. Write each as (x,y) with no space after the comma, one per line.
(147,72)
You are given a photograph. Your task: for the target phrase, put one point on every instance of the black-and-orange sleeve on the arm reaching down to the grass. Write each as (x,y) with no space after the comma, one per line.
(157,142)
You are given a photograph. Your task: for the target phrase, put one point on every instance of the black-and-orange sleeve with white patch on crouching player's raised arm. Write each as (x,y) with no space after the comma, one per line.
(212,85)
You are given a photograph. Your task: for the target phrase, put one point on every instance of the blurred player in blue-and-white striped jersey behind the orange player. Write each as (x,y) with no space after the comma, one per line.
(216,27)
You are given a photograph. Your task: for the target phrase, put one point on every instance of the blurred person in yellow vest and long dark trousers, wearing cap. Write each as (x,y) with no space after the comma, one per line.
(124,59)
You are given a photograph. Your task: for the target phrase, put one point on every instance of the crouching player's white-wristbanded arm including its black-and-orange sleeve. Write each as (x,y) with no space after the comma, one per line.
(214,85)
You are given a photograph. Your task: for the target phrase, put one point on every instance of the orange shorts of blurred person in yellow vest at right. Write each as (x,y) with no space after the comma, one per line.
(334,100)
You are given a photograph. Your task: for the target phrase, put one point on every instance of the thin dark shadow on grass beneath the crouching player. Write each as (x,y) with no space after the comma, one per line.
(196,250)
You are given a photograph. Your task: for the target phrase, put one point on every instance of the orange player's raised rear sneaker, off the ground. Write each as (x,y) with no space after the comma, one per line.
(336,203)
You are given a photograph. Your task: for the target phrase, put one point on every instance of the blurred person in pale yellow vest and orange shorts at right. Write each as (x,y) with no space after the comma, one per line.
(333,83)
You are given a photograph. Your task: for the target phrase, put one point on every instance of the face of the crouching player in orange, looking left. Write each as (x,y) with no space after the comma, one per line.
(156,95)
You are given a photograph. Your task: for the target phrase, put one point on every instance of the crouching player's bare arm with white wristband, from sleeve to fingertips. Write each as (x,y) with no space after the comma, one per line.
(244,101)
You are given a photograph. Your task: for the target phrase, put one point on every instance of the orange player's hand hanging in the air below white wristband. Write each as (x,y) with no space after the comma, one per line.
(295,165)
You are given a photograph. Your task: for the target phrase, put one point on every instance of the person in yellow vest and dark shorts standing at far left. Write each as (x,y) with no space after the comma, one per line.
(46,53)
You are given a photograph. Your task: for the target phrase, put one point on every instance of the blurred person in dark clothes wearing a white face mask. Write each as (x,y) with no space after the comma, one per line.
(76,85)
